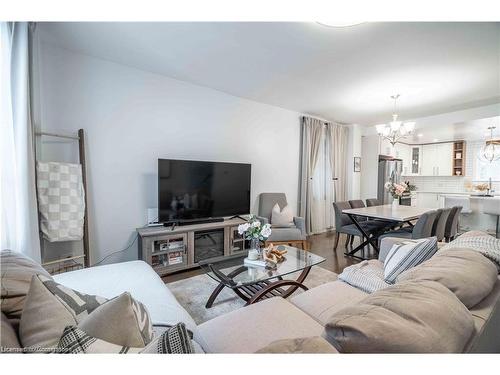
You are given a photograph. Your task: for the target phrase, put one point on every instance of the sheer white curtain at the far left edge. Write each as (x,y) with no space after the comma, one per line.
(18,206)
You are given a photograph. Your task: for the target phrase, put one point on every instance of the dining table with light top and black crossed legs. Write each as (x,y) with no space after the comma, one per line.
(393,215)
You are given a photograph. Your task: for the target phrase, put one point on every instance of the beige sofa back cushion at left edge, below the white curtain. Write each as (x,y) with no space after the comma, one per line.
(16,272)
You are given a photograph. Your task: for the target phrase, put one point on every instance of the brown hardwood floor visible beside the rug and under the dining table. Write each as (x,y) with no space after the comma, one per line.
(321,244)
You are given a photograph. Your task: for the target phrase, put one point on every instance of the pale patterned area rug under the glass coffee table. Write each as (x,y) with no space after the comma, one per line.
(193,293)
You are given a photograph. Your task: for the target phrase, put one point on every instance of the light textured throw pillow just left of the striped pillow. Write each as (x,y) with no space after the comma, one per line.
(367,276)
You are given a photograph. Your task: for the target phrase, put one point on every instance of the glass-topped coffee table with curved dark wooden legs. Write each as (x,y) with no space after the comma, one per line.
(253,283)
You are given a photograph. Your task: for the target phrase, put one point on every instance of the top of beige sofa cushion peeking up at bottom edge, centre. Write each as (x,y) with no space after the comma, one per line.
(306,345)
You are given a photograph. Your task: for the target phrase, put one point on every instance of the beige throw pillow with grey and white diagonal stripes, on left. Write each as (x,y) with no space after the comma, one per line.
(49,308)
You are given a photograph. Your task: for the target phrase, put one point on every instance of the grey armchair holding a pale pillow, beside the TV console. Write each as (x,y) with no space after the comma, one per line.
(293,234)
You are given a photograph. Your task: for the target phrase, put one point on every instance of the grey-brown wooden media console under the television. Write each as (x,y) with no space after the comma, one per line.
(172,249)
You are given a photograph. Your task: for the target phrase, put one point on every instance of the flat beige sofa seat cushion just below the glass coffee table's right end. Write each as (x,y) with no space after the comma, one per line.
(323,301)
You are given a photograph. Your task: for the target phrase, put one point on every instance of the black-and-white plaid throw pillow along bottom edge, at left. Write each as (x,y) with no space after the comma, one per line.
(175,340)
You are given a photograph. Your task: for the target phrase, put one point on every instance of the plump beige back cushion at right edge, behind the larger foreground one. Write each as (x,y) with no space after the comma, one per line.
(465,272)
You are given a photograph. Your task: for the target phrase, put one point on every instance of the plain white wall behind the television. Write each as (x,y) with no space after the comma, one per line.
(132,118)
